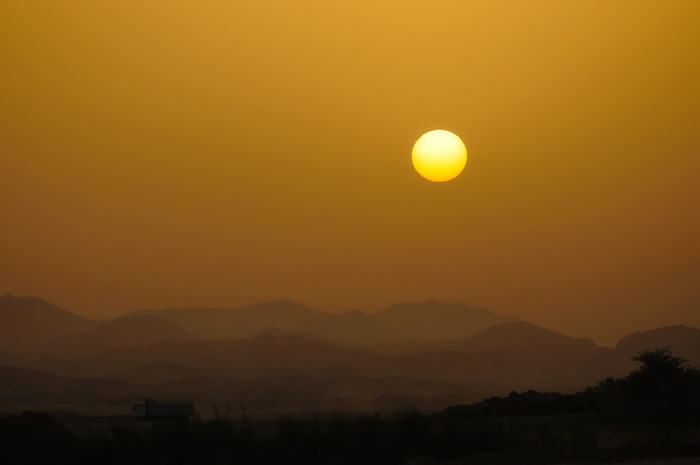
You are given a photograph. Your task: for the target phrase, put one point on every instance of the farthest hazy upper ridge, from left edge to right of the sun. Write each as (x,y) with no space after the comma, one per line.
(27,314)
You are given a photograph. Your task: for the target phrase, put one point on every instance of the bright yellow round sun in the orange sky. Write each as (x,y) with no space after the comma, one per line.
(439,155)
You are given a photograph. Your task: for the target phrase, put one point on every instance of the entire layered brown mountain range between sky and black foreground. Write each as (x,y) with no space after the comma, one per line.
(285,356)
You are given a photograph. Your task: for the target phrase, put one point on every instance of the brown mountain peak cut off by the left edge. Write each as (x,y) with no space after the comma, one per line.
(26,321)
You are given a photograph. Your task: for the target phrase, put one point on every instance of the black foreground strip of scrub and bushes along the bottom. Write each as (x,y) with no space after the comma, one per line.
(653,411)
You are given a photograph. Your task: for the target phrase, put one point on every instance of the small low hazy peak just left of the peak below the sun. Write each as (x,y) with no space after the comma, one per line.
(353,327)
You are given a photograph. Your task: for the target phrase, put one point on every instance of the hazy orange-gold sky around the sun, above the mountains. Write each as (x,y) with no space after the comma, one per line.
(221,153)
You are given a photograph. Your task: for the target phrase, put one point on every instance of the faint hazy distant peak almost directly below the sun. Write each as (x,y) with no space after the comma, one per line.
(437,321)
